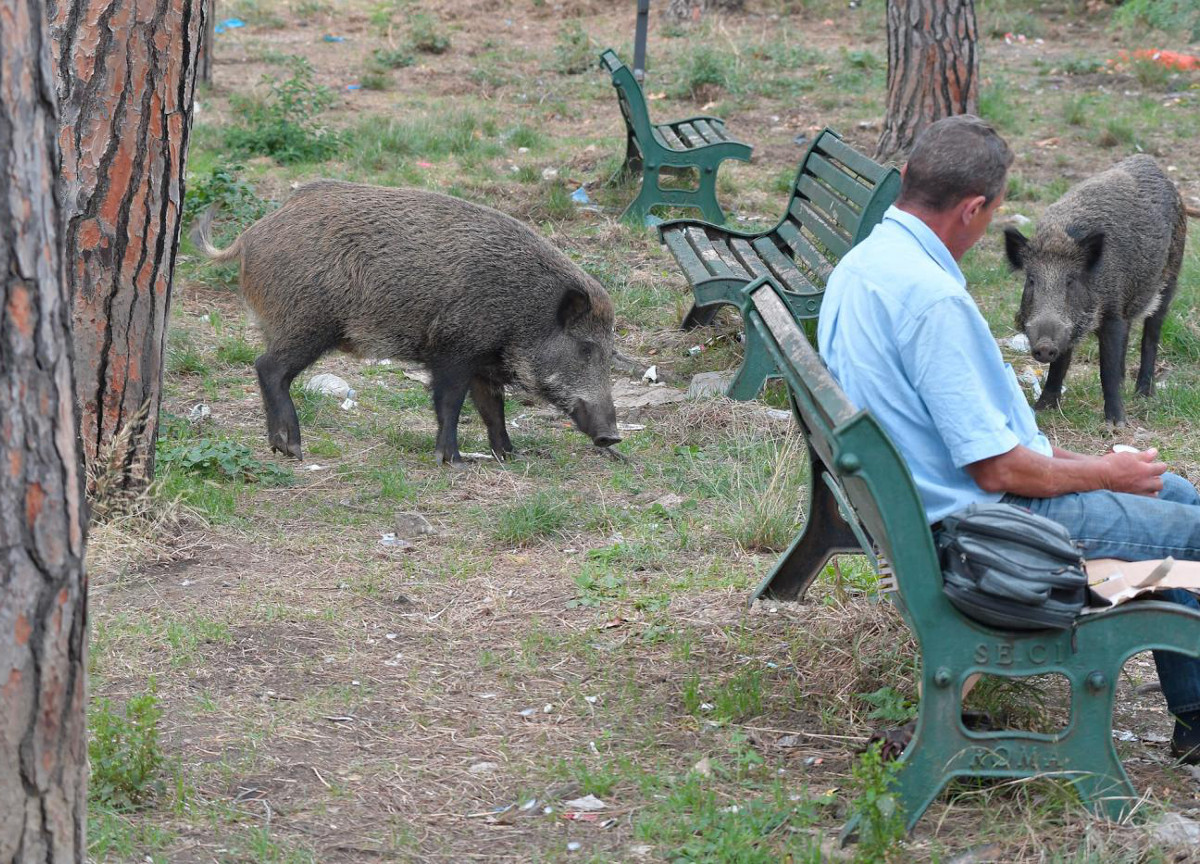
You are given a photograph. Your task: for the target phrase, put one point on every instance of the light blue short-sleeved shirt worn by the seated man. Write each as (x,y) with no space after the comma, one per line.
(907,341)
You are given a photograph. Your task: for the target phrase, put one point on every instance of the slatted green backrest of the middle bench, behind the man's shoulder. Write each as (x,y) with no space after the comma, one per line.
(838,199)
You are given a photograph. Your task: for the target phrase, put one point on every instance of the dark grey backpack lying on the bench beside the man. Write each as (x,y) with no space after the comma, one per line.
(1010,568)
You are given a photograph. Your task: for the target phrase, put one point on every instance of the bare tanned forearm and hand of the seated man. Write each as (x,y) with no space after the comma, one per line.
(1027,473)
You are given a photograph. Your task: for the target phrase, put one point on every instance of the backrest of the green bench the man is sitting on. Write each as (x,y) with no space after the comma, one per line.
(857,457)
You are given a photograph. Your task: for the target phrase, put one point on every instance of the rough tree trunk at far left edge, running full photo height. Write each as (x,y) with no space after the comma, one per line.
(43,586)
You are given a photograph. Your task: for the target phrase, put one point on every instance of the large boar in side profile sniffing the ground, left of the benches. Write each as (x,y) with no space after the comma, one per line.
(475,296)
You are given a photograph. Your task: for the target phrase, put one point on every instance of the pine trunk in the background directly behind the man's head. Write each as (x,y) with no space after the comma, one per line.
(933,69)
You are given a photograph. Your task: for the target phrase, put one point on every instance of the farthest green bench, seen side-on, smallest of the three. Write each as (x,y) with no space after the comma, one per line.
(699,143)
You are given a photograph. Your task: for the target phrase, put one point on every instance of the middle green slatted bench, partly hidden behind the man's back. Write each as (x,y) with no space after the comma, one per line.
(838,197)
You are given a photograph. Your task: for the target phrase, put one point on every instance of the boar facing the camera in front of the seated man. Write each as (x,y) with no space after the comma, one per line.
(1106,256)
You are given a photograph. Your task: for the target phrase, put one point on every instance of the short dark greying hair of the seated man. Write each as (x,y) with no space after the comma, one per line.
(957,158)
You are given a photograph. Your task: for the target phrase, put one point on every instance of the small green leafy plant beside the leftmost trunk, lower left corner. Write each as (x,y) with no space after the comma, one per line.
(124,753)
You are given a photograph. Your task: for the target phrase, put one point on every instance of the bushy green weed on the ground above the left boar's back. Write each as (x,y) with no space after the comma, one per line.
(285,125)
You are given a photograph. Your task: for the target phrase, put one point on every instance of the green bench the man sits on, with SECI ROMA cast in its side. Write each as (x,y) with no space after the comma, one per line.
(862,499)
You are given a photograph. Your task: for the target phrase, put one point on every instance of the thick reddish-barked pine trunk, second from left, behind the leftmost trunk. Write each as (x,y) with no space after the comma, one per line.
(127,83)
